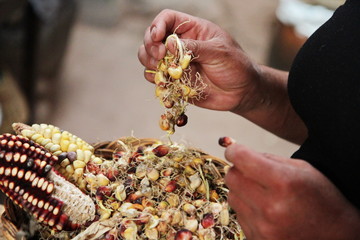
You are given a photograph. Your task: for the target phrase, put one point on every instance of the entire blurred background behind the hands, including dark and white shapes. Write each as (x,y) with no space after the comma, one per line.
(73,64)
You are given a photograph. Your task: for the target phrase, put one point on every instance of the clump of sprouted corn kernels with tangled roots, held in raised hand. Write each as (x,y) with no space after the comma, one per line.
(174,86)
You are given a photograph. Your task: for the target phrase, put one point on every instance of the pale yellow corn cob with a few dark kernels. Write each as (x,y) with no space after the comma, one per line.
(73,152)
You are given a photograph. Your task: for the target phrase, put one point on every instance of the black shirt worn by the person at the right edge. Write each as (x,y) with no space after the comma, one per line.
(324,88)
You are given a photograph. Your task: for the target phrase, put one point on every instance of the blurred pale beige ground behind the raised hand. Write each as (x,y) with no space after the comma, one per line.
(105,96)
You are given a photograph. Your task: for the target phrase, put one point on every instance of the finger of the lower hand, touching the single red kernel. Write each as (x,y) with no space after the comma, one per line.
(253,165)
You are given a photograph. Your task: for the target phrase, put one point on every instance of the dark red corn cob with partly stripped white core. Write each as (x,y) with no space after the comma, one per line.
(27,177)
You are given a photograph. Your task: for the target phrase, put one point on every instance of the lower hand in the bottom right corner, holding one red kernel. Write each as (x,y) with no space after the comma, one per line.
(277,198)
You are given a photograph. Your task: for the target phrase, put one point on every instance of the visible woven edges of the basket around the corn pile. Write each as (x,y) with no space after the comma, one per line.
(16,222)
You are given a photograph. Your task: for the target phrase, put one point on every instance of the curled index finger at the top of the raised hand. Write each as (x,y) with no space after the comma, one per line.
(167,21)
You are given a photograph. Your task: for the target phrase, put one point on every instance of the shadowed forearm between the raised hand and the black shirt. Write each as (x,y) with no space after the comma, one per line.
(271,108)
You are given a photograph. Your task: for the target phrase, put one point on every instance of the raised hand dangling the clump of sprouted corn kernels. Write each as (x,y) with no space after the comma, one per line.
(224,67)
